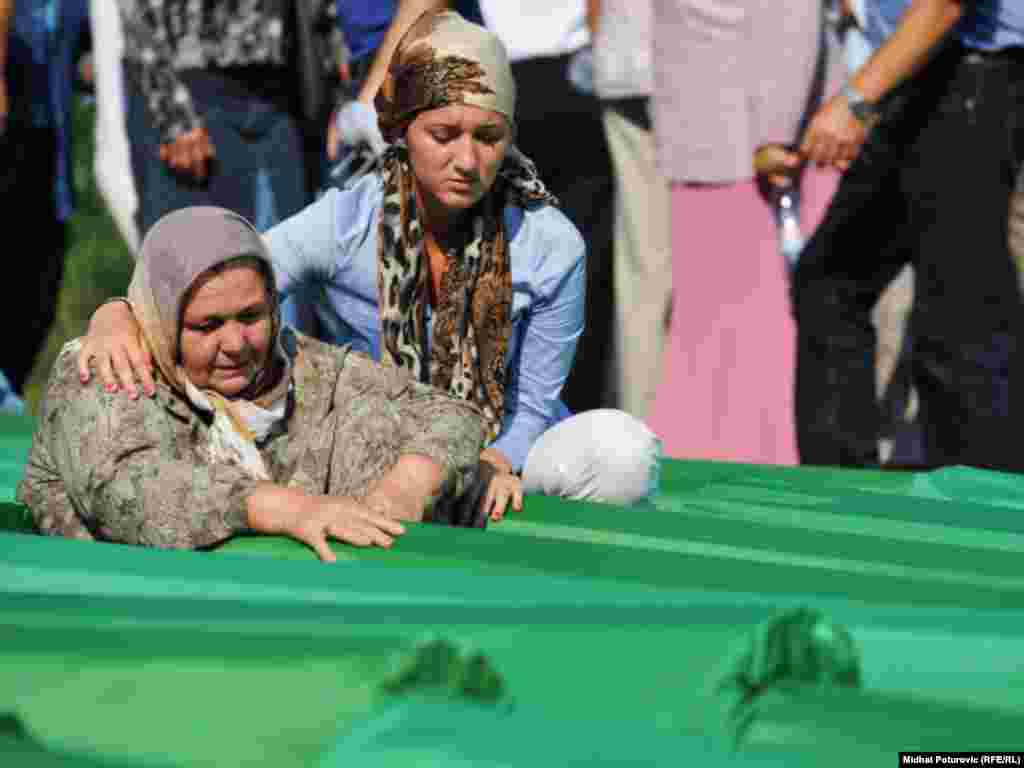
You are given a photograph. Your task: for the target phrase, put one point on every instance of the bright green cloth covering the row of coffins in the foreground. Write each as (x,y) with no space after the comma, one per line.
(601,627)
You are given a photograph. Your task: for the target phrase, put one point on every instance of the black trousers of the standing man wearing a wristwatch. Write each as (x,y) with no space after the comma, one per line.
(931,188)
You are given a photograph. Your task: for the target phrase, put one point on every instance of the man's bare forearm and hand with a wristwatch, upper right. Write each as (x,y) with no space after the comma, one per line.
(835,136)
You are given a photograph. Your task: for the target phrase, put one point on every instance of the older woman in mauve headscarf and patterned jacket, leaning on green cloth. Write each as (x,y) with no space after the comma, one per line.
(252,428)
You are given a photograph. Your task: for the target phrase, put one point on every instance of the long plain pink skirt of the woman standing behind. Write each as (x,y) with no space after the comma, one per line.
(728,388)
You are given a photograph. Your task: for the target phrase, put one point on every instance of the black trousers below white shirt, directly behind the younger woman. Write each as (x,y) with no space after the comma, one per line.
(561,130)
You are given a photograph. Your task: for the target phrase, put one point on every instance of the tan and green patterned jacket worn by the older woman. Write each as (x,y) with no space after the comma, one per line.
(104,466)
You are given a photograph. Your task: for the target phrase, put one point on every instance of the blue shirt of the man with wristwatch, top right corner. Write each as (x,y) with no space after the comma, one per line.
(989,25)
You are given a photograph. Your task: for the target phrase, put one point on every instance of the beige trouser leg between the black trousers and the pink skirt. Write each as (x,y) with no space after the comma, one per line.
(643,263)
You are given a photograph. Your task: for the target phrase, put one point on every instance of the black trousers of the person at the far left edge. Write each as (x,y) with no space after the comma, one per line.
(28,163)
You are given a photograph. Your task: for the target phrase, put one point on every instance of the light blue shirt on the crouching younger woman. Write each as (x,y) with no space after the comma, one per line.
(328,254)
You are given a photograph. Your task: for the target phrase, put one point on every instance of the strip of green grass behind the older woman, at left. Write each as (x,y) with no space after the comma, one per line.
(99,263)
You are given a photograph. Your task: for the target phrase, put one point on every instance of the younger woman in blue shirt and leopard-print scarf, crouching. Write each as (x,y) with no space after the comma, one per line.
(455,264)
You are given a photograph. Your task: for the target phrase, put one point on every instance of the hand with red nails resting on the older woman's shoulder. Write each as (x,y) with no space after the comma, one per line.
(115,344)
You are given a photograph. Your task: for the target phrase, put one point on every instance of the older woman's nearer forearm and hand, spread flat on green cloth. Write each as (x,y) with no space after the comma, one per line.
(315,520)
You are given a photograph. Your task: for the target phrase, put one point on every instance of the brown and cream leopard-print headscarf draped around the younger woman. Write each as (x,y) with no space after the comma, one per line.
(445,60)
